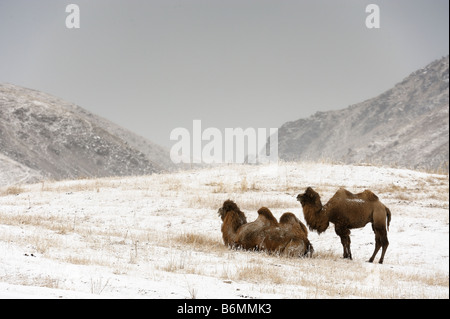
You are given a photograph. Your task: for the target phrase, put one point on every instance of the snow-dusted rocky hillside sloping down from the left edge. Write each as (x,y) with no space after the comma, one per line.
(42,136)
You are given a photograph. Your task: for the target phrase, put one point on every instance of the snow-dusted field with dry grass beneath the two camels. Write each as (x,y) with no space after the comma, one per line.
(159,236)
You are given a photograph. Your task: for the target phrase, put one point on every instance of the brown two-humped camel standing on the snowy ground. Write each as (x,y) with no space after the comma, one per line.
(348,211)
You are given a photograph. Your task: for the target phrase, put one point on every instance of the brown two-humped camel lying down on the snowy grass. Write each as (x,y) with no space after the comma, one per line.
(288,237)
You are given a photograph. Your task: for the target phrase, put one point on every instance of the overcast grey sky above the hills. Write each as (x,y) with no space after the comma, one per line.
(152,66)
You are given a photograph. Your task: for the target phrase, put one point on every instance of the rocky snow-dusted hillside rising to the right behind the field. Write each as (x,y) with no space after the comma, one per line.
(407,126)
